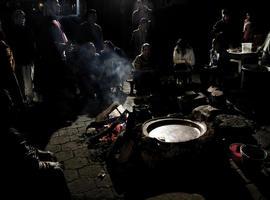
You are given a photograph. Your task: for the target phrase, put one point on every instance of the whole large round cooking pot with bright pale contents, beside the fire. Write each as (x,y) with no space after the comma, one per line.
(172,139)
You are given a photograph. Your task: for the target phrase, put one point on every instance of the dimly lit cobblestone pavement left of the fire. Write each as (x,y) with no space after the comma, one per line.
(82,174)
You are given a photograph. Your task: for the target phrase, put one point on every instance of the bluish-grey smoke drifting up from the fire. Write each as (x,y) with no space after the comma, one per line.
(103,73)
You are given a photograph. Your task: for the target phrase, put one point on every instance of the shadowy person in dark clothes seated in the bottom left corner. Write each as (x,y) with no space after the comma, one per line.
(32,173)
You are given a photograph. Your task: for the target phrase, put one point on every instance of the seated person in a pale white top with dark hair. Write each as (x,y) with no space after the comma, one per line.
(183,60)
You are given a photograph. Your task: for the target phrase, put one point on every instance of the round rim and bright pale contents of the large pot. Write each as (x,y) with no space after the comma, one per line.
(173,130)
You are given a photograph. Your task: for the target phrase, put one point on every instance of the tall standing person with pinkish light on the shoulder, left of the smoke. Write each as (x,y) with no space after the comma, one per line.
(54,77)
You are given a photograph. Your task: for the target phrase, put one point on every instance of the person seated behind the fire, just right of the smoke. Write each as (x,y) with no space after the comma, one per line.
(143,69)
